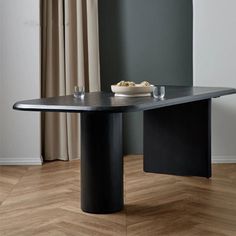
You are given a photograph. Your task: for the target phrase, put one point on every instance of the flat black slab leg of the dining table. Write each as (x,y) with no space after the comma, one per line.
(177,139)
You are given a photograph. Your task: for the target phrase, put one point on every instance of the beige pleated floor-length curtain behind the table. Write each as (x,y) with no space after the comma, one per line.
(70,56)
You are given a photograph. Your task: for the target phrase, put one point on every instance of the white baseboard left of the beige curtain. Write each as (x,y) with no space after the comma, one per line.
(20,161)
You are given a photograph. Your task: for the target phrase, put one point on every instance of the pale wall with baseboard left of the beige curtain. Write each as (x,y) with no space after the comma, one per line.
(19,80)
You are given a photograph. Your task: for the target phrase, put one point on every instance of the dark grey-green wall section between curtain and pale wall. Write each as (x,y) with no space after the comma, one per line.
(144,40)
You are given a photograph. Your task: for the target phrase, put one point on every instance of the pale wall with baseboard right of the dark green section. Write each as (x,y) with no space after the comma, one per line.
(215,65)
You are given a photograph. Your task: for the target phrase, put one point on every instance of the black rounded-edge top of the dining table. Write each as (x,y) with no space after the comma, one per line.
(107,102)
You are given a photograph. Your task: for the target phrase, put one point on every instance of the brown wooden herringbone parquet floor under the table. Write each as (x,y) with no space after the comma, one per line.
(45,200)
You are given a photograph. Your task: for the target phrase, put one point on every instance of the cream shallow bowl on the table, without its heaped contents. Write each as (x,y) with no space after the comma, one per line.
(131,90)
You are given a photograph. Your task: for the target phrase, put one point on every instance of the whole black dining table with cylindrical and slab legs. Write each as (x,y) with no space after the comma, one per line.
(177,137)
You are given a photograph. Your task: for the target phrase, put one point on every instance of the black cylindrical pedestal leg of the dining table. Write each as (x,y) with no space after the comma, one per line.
(101,162)
